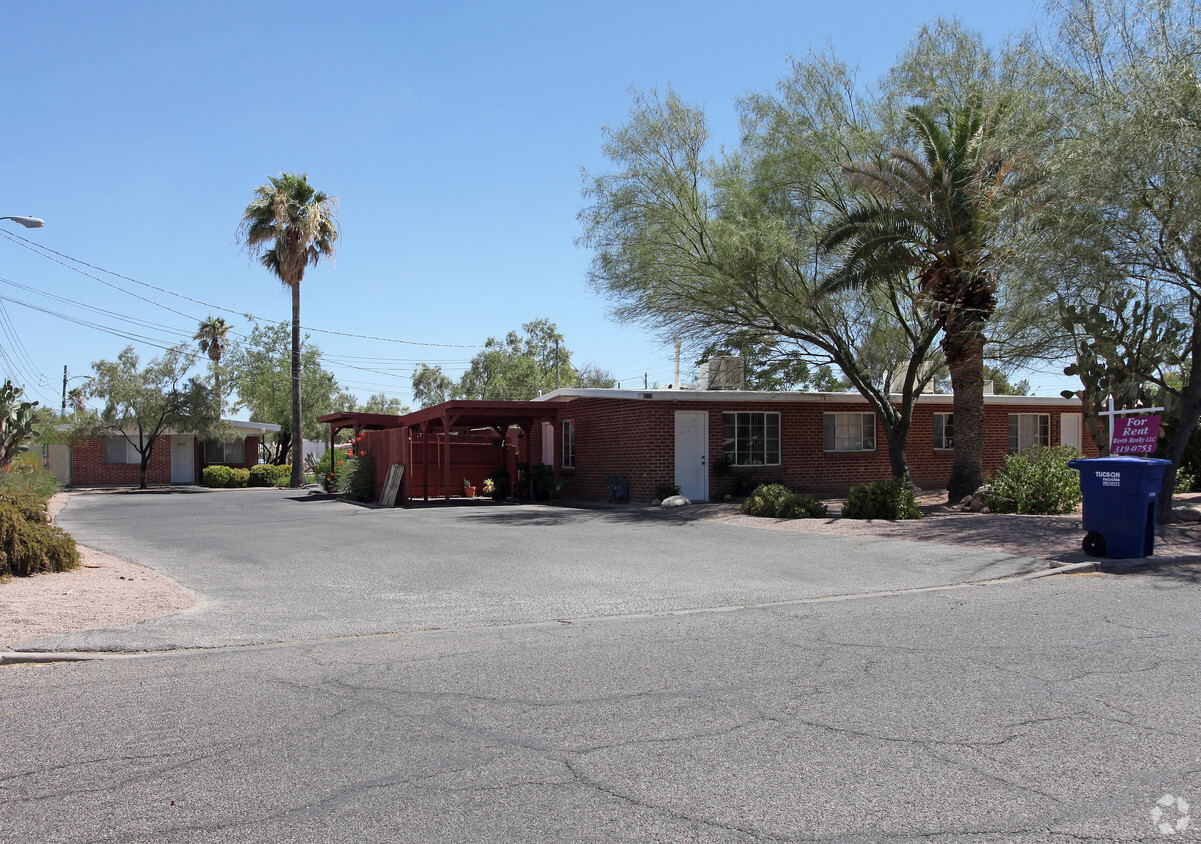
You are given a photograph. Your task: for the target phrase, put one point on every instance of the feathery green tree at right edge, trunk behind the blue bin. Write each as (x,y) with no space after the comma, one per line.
(1127,178)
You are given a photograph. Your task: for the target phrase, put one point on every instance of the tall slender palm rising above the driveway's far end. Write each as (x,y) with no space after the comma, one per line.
(290,226)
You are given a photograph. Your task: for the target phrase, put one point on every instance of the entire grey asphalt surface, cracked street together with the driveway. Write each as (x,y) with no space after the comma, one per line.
(1054,710)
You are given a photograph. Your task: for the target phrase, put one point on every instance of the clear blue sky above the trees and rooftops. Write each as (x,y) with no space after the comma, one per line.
(453,135)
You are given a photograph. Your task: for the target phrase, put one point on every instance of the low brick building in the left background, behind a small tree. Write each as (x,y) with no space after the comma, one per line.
(175,458)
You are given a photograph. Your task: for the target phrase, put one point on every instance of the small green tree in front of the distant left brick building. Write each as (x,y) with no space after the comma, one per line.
(141,405)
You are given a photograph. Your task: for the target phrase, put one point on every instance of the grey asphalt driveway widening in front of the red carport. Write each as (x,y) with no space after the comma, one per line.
(276,566)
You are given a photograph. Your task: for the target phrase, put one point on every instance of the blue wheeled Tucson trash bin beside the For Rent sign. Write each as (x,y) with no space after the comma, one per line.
(1121,496)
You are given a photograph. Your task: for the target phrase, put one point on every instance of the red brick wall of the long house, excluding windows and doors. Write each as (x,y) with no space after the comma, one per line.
(637,439)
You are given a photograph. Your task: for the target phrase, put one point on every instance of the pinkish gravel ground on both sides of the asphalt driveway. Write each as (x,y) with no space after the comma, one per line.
(109,592)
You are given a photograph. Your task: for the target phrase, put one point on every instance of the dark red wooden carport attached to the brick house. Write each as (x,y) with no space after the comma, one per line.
(443,430)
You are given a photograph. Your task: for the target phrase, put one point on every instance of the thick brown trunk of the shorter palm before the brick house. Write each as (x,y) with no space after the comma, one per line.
(964,348)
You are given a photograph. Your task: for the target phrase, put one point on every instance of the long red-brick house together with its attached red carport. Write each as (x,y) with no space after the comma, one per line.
(703,441)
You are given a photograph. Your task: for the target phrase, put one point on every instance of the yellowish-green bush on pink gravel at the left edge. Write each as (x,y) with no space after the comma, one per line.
(29,543)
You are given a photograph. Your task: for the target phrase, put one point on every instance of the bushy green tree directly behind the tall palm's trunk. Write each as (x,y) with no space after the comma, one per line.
(260,372)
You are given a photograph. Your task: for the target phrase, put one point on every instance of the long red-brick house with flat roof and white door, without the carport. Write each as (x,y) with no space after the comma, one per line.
(812,442)
